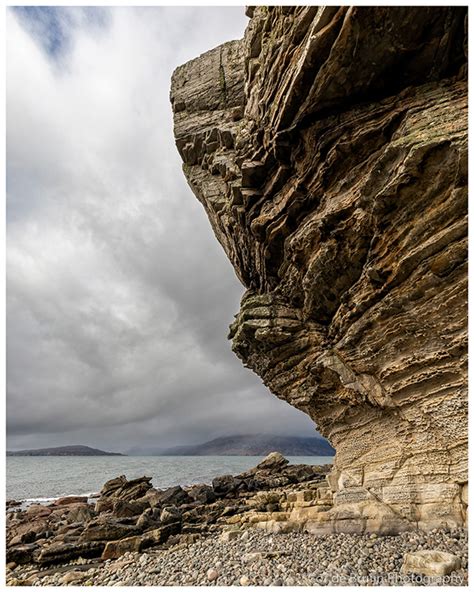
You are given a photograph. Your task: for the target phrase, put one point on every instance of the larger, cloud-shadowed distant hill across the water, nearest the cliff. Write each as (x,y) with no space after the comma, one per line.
(248,445)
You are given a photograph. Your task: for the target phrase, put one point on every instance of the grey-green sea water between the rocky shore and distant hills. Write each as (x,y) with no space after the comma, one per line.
(47,477)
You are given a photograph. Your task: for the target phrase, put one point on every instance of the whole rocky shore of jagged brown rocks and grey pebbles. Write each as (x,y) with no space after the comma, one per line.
(233,532)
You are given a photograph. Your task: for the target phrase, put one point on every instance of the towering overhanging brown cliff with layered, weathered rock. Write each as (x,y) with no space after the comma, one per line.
(329,149)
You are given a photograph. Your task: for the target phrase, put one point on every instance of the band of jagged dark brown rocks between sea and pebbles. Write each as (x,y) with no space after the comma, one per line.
(133,516)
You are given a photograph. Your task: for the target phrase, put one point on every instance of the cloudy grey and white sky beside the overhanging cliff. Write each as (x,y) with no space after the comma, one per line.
(119,296)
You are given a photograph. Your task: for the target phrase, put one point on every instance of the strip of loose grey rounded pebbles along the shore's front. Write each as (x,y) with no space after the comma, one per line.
(256,558)
